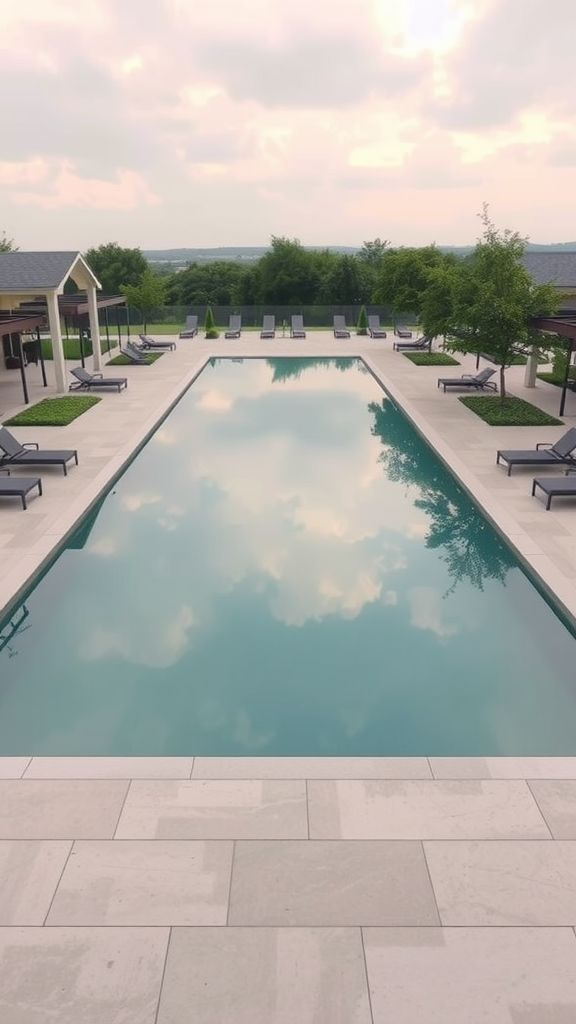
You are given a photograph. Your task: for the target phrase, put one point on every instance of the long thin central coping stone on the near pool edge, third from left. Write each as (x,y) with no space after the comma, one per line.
(311,769)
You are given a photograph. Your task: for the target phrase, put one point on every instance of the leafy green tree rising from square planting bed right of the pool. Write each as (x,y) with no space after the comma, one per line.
(491,300)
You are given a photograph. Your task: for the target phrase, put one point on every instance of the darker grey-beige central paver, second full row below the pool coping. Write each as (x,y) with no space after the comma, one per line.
(331,884)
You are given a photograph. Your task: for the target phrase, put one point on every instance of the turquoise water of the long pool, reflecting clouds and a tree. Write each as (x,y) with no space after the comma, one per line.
(286,569)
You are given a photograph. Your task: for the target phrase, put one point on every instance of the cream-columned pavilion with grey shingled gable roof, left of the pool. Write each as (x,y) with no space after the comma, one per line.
(44,276)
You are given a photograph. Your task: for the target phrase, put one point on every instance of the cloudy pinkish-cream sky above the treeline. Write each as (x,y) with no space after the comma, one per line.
(183,123)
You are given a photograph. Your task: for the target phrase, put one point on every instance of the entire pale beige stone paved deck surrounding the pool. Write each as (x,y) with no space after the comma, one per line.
(290,890)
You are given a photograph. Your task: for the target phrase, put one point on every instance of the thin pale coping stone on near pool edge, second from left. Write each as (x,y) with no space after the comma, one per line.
(108,767)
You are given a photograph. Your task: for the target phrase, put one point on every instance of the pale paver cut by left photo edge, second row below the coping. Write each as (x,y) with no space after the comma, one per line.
(30,871)
